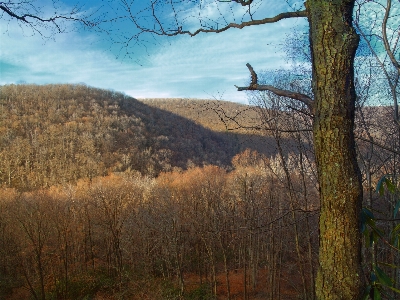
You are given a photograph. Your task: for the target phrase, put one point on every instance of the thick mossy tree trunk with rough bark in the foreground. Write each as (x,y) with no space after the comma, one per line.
(333,44)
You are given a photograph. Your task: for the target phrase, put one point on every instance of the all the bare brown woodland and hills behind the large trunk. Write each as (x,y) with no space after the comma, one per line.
(103,196)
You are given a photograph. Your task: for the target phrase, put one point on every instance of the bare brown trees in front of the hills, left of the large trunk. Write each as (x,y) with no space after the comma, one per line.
(198,234)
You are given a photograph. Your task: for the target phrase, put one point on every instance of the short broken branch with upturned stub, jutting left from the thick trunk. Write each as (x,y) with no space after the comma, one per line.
(254,86)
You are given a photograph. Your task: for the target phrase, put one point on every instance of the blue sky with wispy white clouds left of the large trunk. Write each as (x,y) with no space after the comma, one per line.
(206,66)
